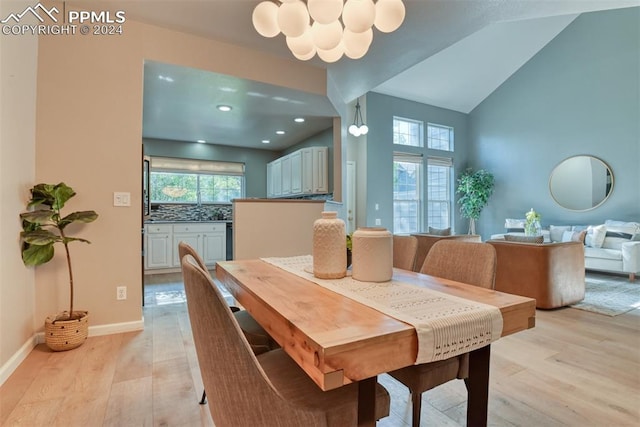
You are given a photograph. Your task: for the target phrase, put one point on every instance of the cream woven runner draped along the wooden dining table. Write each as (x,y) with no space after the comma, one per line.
(446,325)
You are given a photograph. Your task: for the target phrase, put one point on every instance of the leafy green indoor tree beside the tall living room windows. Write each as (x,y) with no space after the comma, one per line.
(475,189)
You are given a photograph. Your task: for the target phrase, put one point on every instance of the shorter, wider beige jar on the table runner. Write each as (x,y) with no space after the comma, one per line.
(372,254)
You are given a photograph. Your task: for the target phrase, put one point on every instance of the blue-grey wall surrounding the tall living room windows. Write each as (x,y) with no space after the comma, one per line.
(380,149)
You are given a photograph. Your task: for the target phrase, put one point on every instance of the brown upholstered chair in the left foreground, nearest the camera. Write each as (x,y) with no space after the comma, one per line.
(269,389)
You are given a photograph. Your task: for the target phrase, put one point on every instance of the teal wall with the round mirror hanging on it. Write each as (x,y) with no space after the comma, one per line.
(579,95)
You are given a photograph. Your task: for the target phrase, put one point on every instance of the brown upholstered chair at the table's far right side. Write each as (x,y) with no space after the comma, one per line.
(466,262)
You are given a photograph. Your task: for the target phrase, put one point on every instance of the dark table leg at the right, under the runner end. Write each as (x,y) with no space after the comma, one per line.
(478,387)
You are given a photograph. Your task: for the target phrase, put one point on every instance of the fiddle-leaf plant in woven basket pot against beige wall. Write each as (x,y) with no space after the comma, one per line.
(43,226)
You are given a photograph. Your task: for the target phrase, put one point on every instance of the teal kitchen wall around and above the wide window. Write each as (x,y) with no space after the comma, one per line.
(255,160)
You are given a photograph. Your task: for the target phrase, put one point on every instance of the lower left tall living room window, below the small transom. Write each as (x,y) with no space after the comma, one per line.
(407,200)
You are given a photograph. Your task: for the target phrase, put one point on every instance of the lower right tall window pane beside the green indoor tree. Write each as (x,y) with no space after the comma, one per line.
(439,173)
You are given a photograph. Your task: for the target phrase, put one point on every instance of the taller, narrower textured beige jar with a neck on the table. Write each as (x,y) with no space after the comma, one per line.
(329,247)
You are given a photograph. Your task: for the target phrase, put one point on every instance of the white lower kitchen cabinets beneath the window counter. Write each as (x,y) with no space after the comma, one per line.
(161,243)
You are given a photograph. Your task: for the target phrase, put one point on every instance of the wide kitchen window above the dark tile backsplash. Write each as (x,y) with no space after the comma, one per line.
(195,181)
